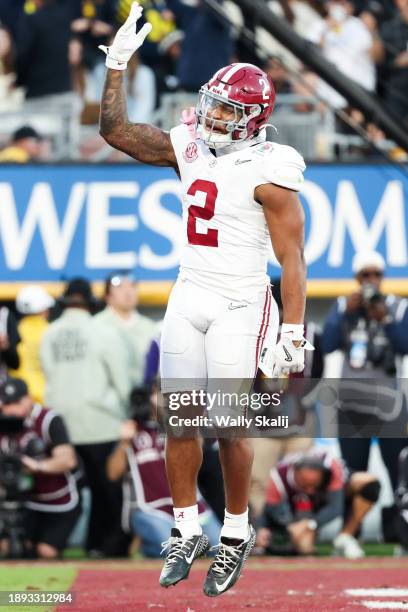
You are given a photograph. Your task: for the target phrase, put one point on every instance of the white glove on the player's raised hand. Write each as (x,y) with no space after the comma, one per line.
(126,41)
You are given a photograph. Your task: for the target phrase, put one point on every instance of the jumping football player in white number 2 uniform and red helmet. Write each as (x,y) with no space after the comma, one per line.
(239,195)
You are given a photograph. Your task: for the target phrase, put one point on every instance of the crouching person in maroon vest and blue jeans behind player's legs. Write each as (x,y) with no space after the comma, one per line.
(138,459)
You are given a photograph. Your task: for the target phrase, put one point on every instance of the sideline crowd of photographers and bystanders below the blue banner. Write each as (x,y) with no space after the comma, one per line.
(80,409)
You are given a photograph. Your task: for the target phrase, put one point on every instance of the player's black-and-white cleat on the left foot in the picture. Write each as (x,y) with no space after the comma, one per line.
(181,552)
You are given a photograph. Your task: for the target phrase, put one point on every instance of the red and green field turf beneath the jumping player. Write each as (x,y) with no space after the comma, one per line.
(282,585)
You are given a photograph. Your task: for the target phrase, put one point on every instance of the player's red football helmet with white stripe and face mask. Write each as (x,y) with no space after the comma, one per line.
(249,92)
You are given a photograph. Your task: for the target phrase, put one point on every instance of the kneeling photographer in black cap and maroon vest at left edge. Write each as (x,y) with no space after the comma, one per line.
(37,465)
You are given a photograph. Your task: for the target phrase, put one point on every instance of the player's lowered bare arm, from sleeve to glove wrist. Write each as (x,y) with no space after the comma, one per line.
(285,218)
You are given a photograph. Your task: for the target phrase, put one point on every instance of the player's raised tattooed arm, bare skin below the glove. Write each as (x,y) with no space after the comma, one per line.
(146,143)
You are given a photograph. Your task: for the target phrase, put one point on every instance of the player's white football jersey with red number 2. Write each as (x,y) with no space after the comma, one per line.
(226,238)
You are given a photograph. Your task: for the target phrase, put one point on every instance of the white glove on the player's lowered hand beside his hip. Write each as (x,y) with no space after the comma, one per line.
(285,358)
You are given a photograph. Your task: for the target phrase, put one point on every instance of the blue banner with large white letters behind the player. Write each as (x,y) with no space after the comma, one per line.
(61,221)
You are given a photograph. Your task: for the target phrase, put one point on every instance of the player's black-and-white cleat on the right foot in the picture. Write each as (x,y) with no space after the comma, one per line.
(228,563)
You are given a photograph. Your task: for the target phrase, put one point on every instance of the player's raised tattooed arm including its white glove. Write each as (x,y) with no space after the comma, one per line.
(146,143)
